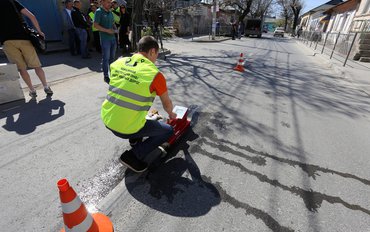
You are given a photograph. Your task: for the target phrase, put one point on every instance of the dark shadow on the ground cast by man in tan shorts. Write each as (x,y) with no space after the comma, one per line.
(33,114)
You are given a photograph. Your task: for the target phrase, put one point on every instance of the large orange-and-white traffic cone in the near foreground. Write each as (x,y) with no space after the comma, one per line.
(75,215)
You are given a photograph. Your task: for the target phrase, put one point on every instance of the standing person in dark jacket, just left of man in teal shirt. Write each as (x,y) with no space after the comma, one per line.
(81,26)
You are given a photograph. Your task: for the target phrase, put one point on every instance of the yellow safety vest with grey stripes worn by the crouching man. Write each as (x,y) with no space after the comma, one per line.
(129,97)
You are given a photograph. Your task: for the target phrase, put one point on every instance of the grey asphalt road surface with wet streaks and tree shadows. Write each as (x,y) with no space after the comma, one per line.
(282,146)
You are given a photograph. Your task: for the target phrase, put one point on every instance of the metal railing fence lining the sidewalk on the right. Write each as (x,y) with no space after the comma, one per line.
(337,43)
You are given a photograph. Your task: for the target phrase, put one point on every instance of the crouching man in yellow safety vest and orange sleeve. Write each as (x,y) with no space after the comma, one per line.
(134,83)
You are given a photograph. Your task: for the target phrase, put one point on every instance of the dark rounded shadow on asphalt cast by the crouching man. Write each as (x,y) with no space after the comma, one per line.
(175,187)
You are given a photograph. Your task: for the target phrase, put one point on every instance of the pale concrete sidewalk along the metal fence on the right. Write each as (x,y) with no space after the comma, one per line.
(355,72)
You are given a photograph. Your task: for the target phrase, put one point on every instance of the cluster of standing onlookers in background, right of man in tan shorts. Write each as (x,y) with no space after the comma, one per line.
(110,27)
